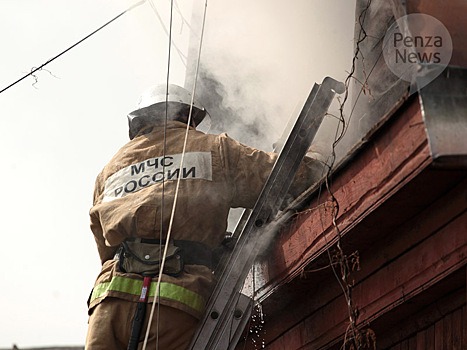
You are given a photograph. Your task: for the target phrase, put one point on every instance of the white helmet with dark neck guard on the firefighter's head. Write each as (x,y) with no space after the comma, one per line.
(161,101)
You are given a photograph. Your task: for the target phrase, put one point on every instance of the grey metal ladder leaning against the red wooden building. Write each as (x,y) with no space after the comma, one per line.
(228,309)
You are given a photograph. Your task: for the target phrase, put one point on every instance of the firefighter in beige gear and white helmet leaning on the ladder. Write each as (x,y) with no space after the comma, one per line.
(132,212)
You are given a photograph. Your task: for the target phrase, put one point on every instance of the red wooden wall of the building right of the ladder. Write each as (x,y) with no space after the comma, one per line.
(408,222)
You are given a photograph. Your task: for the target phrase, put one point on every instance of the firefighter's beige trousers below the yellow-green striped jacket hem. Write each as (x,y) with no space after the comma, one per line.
(111,321)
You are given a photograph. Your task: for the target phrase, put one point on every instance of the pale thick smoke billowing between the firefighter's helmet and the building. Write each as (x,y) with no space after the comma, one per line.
(259,62)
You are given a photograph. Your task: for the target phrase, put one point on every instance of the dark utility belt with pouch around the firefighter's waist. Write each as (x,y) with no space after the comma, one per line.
(144,256)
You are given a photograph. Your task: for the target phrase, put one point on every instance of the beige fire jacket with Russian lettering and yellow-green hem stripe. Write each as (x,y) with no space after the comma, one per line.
(131,200)
